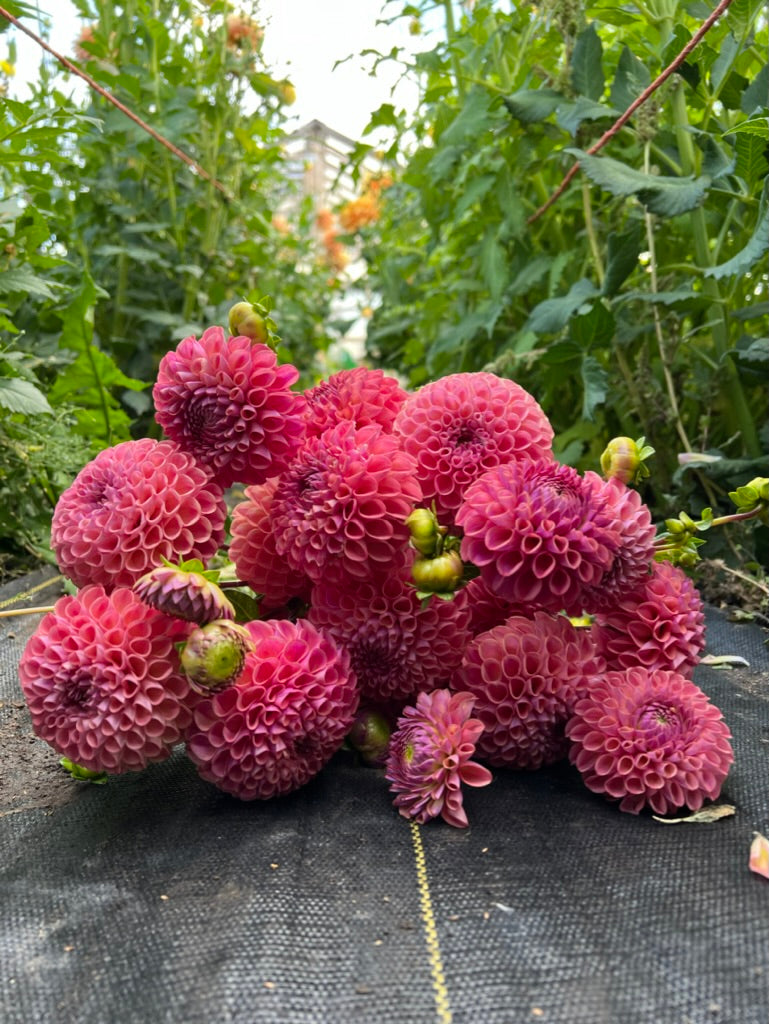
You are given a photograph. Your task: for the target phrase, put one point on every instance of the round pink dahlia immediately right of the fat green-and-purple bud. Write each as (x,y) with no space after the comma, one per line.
(284,718)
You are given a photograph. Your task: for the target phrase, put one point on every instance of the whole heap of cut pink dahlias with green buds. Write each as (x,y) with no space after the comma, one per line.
(411,577)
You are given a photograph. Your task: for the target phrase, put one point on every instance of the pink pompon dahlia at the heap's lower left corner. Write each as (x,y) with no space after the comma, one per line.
(103,682)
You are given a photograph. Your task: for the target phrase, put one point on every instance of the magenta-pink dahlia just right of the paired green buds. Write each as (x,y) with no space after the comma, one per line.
(538,535)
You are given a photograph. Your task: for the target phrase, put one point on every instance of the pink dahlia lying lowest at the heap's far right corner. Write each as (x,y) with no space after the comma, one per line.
(650,739)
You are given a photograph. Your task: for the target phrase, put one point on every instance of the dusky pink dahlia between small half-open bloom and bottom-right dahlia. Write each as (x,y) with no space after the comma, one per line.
(526,676)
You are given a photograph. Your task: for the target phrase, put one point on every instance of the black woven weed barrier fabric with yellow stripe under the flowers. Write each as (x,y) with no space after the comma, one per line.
(156,900)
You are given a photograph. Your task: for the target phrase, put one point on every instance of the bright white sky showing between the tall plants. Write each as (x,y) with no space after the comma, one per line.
(304,39)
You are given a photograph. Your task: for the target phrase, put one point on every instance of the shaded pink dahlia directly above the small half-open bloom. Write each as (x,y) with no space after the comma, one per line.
(399,647)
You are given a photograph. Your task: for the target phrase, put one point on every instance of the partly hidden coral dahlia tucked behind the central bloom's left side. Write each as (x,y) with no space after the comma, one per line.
(254,554)
